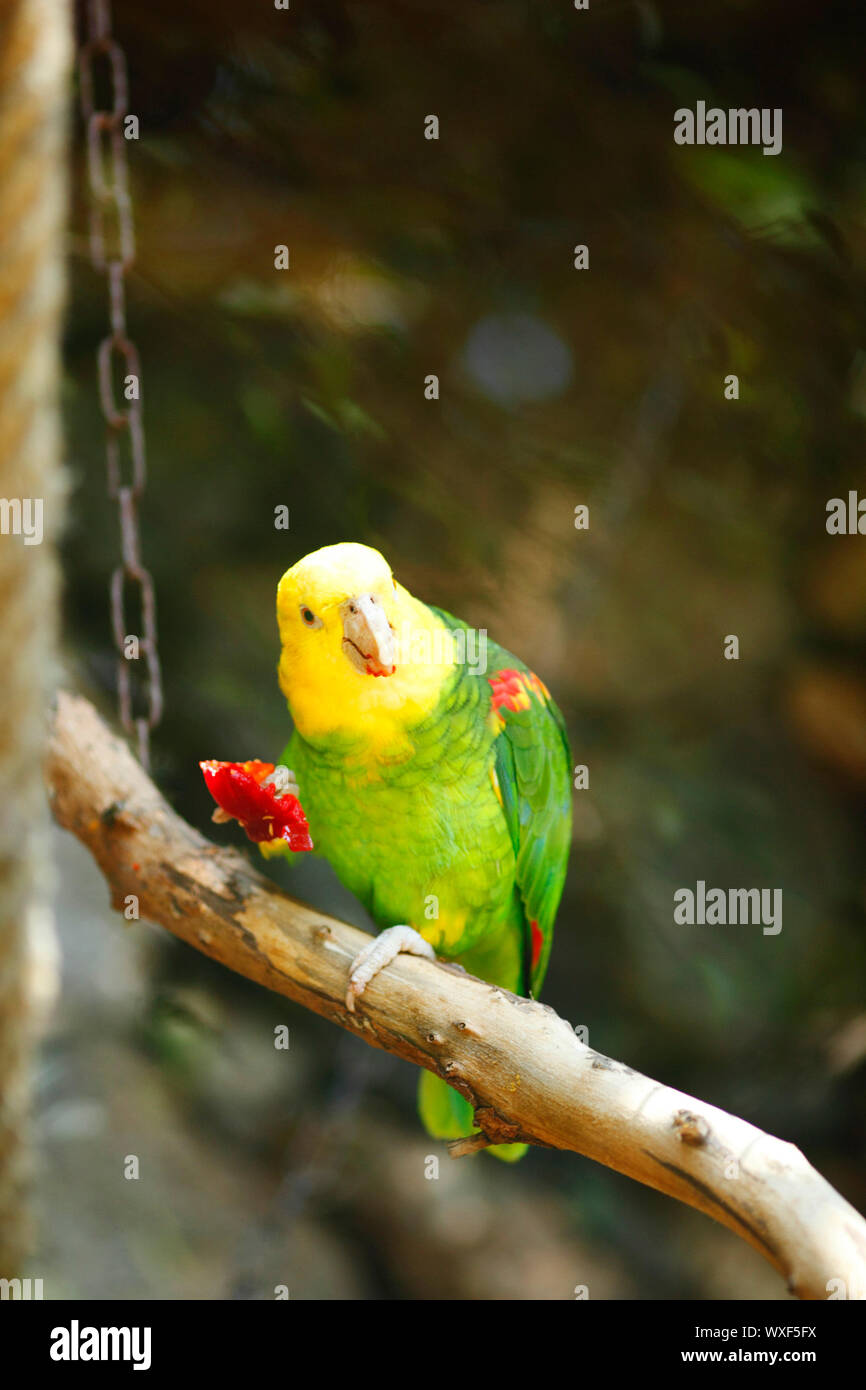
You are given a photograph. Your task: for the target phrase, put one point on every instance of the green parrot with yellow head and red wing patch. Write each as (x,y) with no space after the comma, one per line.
(436,776)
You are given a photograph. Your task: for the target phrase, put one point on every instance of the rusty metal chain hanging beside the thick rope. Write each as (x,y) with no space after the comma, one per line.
(113,255)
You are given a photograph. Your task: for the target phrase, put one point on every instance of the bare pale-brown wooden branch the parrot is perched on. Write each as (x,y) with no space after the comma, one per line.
(521,1065)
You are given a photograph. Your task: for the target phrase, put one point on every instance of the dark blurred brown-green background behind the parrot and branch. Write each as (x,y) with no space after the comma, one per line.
(558,387)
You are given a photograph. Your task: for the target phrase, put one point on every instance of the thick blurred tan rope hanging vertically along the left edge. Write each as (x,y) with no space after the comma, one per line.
(35,51)
